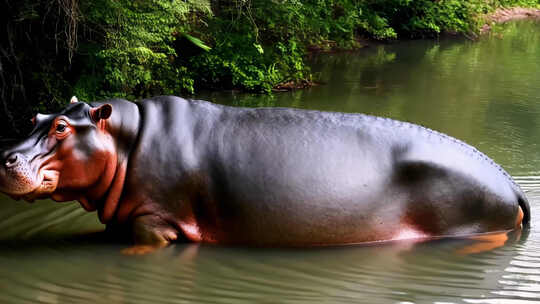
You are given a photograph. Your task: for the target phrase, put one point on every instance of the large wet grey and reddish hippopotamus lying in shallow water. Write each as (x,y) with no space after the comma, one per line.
(171,169)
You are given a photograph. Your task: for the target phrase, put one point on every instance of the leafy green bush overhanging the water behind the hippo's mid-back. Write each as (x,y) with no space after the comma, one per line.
(248,53)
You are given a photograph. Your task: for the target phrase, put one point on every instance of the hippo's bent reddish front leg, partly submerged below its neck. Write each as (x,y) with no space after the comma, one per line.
(150,232)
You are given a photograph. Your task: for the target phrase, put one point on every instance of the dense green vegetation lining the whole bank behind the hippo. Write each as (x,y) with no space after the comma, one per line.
(52,49)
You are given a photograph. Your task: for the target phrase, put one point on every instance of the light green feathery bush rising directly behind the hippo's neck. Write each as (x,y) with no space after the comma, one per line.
(137,57)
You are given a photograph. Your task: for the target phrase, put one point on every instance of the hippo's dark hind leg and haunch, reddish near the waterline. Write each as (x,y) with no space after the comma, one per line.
(445,202)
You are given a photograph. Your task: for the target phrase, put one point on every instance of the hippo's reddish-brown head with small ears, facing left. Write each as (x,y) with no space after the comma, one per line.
(70,155)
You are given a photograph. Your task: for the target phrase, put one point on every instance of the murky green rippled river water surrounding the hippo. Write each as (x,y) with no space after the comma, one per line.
(486,93)
